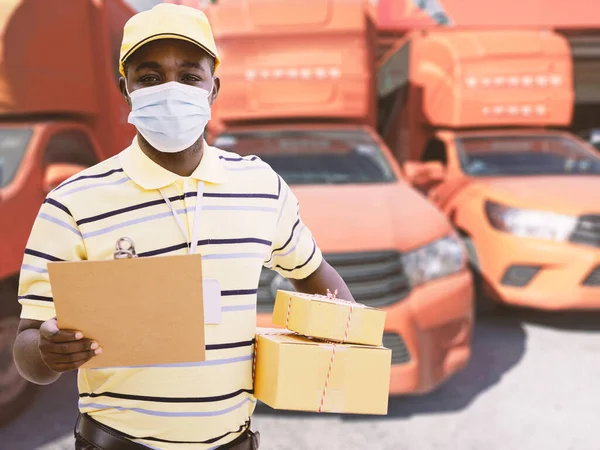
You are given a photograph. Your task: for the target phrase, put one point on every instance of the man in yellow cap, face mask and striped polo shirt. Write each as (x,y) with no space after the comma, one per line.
(150,193)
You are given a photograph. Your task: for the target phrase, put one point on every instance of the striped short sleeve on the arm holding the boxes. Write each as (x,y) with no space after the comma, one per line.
(294,251)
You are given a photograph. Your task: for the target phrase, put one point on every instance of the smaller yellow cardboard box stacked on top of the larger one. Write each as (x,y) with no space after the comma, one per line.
(321,317)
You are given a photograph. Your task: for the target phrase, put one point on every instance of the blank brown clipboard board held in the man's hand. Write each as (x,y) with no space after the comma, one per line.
(142,311)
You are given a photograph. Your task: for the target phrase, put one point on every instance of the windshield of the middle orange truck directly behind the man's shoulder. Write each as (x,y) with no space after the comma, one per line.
(314,157)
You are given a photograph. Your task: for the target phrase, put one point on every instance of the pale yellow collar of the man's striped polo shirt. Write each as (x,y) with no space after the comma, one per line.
(149,175)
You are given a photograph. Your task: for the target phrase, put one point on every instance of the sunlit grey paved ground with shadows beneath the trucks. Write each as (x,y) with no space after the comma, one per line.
(533,383)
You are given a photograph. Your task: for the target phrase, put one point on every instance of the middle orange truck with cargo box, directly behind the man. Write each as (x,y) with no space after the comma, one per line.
(297,90)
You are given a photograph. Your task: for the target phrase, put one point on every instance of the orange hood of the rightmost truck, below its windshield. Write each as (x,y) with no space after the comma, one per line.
(561,194)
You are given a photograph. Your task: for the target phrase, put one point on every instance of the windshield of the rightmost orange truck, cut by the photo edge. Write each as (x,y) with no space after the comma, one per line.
(525,155)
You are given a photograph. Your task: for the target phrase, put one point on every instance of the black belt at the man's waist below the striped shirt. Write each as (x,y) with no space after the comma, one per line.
(106,438)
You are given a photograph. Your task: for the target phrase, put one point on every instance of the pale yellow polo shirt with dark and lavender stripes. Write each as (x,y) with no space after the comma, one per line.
(250,218)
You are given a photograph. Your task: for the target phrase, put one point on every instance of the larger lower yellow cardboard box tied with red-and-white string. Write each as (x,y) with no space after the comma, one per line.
(293,373)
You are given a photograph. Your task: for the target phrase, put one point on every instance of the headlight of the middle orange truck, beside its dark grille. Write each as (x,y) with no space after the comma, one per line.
(438,259)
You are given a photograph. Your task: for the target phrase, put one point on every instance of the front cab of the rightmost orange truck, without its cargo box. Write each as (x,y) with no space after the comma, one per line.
(526,202)
